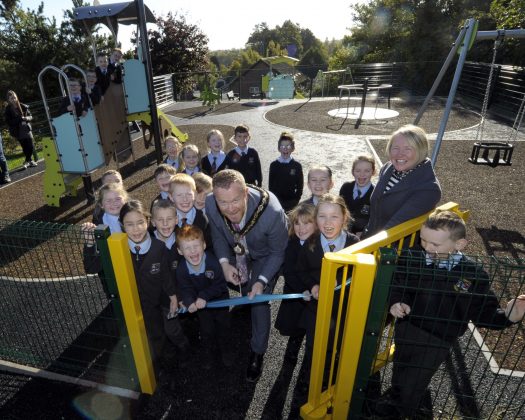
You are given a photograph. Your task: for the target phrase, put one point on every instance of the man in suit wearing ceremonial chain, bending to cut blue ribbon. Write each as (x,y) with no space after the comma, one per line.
(249,235)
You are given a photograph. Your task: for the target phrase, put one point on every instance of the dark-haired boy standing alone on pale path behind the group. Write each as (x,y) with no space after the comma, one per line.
(286,174)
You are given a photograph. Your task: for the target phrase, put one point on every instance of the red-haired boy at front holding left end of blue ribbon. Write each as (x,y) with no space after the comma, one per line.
(200,281)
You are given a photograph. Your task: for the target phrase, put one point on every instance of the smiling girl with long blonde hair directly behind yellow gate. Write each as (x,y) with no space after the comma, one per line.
(332,218)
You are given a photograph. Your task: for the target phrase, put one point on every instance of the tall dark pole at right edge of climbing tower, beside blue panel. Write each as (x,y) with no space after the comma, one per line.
(143,32)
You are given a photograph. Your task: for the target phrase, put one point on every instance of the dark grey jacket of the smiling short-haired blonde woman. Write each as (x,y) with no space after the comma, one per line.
(417,193)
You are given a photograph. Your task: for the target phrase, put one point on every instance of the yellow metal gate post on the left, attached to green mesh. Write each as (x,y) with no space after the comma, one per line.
(129,297)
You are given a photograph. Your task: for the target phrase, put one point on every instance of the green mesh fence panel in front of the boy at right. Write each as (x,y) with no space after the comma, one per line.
(454,335)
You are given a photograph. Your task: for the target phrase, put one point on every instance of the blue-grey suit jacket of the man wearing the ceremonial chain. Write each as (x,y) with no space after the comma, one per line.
(266,241)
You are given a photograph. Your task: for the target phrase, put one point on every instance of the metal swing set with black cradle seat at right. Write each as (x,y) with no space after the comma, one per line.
(493,152)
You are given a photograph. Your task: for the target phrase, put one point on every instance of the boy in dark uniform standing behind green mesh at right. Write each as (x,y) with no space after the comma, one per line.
(435,293)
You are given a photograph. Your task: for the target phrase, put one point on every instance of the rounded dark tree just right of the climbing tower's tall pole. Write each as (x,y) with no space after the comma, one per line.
(180,48)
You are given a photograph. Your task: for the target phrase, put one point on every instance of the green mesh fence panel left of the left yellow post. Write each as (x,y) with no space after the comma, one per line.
(54,316)
